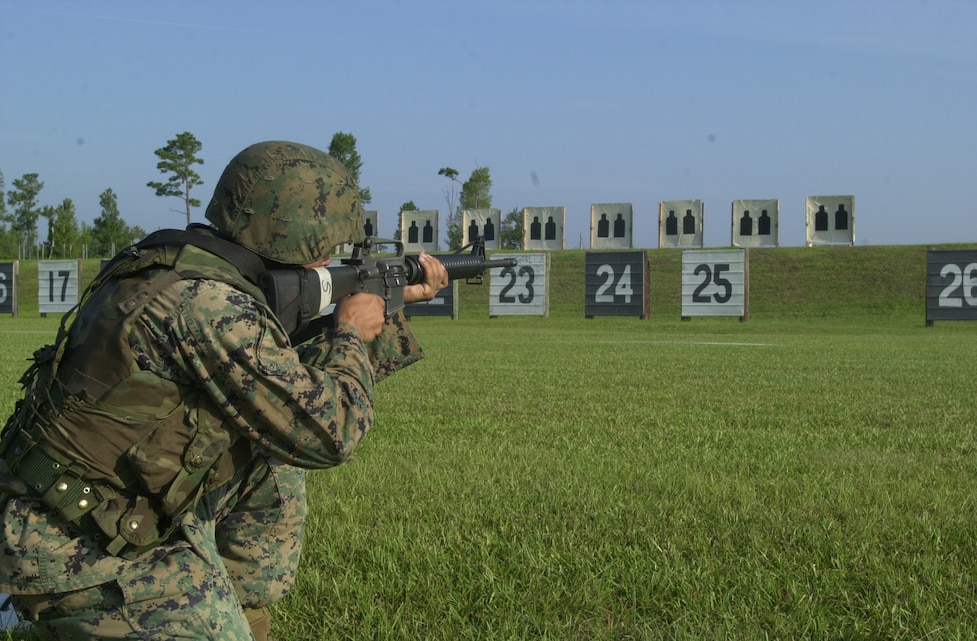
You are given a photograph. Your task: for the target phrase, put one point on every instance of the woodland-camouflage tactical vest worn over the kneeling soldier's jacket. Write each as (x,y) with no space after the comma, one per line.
(115,449)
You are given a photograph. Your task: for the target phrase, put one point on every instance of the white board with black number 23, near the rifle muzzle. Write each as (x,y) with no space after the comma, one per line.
(522,290)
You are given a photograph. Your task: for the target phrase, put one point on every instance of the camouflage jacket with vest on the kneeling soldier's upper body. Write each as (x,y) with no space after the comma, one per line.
(188,381)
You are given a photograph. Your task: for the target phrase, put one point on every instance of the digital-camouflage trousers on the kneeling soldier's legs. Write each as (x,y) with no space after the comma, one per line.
(244,544)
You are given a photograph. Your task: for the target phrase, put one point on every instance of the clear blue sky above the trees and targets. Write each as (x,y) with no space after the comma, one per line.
(568,103)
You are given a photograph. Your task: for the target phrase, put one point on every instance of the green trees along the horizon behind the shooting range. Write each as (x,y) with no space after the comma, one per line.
(108,233)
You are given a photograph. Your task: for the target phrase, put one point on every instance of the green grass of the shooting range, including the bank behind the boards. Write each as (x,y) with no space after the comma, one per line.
(808,474)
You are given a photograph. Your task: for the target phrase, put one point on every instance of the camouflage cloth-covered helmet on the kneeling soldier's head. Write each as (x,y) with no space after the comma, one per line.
(287,202)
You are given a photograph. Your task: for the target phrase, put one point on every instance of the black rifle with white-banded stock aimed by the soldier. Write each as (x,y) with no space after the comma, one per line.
(298,295)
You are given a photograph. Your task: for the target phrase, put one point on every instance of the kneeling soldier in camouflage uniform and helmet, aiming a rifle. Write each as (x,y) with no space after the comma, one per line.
(152,478)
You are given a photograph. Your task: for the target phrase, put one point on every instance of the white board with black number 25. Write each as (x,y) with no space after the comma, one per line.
(715,283)
